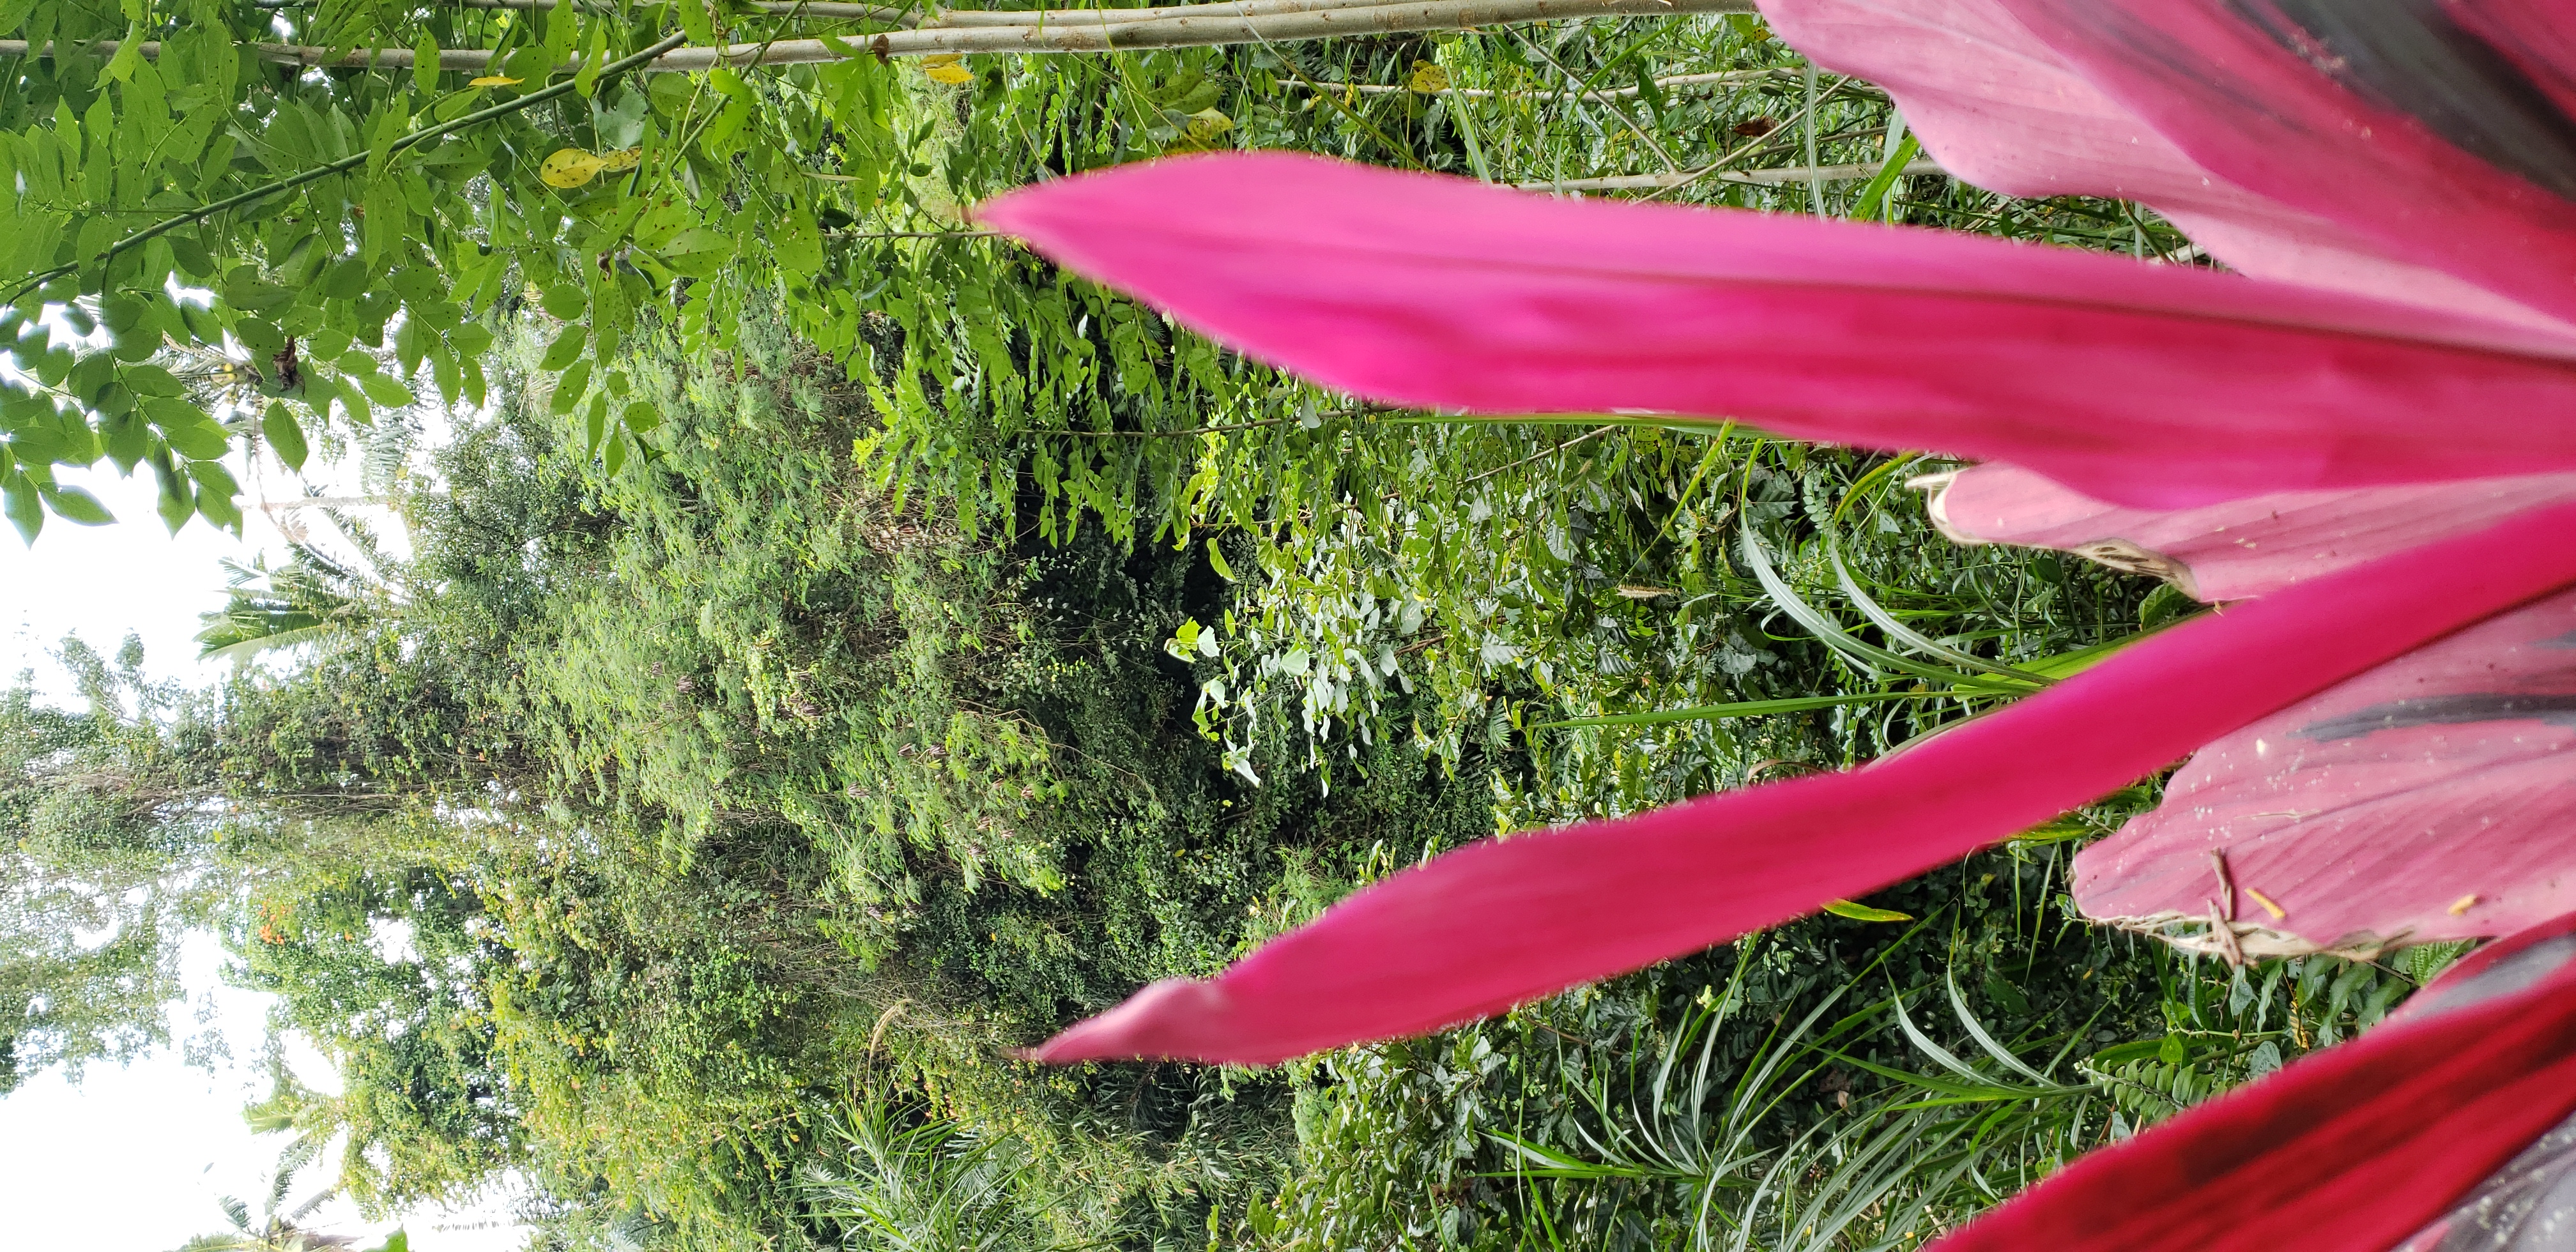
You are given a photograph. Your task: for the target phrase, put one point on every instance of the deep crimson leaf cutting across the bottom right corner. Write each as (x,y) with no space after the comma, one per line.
(2389,1140)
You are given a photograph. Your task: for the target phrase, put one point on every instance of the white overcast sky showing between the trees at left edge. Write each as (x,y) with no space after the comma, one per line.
(138,1158)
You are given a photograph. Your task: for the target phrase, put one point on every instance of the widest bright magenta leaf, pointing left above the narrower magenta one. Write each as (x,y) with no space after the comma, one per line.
(2139,385)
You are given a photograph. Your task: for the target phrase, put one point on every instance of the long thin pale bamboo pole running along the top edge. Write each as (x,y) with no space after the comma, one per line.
(1179,27)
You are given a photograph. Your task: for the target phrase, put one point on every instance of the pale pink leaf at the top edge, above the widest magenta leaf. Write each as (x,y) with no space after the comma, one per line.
(2003,112)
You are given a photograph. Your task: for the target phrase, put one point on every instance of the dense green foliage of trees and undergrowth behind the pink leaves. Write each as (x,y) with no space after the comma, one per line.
(823,669)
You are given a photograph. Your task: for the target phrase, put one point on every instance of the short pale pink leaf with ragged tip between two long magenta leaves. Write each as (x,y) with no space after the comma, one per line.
(2235,550)
